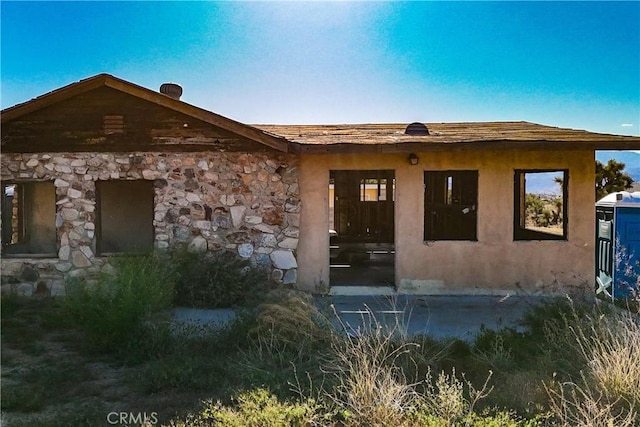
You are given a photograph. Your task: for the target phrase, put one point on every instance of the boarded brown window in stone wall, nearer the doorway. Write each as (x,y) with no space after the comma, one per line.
(125,216)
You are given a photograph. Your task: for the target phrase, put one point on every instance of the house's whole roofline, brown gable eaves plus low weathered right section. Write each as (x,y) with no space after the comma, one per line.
(355,138)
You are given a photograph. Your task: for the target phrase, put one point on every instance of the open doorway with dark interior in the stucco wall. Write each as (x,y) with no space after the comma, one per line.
(361,227)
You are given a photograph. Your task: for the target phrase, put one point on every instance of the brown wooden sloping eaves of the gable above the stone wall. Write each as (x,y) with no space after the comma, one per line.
(107,80)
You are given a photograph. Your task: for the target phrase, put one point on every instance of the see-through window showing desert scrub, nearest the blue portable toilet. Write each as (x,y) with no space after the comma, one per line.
(540,211)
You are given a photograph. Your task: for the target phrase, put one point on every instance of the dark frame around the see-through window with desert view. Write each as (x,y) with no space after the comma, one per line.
(520,232)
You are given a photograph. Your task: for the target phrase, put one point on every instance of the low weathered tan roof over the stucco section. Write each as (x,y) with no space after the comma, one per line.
(391,137)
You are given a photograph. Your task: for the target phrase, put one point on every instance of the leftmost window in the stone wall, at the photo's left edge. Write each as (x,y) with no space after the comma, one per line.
(29,218)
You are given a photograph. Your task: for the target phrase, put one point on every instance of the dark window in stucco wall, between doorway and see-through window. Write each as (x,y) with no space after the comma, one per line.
(450,205)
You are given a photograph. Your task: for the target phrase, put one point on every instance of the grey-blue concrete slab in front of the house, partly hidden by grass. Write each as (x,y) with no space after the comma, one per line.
(438,316)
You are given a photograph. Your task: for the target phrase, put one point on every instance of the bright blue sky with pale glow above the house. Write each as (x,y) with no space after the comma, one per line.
(568,64)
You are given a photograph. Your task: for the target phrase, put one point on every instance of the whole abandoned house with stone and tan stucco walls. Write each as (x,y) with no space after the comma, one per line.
(104,166)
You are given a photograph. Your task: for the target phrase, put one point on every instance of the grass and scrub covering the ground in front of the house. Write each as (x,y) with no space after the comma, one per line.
(288,360)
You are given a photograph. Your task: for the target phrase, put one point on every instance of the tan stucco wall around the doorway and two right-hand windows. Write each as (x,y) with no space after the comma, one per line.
(493,263)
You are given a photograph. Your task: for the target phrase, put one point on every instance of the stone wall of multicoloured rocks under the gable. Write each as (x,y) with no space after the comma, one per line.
(247,203)
